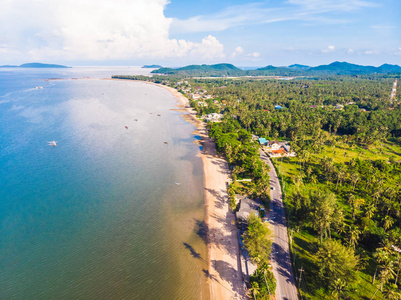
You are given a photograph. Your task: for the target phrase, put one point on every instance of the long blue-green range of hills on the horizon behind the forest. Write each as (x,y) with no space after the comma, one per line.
(335,68)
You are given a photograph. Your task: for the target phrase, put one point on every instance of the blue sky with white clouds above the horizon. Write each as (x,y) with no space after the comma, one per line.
(177,32)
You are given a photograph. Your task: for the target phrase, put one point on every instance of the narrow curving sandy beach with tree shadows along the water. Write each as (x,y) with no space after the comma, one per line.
(224,274)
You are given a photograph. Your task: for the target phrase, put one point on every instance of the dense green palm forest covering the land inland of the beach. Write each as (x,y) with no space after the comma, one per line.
(341,192)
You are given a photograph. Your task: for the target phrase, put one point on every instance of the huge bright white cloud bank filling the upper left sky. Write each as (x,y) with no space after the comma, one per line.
(94,30)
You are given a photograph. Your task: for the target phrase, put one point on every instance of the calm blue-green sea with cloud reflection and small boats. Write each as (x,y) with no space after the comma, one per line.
(100,216)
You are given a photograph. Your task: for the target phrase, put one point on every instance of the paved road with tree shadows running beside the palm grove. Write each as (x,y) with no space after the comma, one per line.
(280,257)
